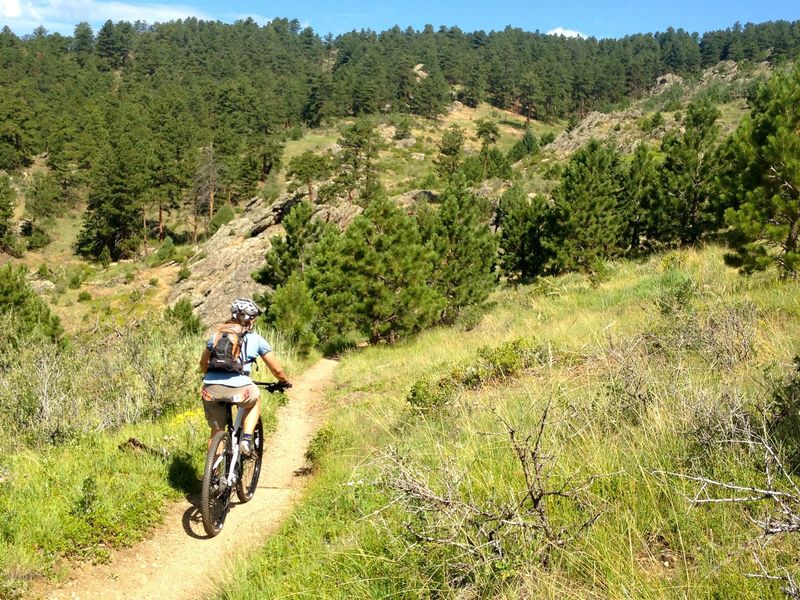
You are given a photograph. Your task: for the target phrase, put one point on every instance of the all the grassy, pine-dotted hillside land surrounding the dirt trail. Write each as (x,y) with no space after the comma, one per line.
(396,191)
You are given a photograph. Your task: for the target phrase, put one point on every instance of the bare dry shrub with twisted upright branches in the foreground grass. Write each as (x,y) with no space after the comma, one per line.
(482,536)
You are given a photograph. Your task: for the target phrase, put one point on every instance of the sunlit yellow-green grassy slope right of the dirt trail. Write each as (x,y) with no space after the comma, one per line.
(618,412)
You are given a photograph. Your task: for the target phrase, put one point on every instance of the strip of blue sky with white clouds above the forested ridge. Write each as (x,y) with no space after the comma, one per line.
(598,19)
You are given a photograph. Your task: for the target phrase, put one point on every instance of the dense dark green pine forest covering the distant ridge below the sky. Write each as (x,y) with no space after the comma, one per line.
(187,113)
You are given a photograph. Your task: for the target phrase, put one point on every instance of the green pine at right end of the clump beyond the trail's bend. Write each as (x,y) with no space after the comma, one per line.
(465,250)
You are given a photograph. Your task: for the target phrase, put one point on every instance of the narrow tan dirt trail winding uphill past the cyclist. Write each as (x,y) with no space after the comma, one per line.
(178,560)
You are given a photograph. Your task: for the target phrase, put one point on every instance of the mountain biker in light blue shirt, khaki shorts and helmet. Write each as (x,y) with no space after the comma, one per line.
(234,386)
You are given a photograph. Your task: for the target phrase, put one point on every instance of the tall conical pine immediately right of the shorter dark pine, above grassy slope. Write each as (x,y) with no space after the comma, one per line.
(590,222)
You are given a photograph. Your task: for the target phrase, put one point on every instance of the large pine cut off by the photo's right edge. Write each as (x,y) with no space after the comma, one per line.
(764,180)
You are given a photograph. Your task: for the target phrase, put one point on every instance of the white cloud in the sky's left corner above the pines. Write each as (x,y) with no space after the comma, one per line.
(62,15)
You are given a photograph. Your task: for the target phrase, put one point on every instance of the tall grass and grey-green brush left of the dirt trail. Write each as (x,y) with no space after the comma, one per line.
(71,486)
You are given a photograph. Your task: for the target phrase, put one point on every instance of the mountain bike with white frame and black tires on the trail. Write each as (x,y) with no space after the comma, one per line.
(227,468)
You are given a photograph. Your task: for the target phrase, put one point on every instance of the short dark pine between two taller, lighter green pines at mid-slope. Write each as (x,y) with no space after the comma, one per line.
(526,230)
